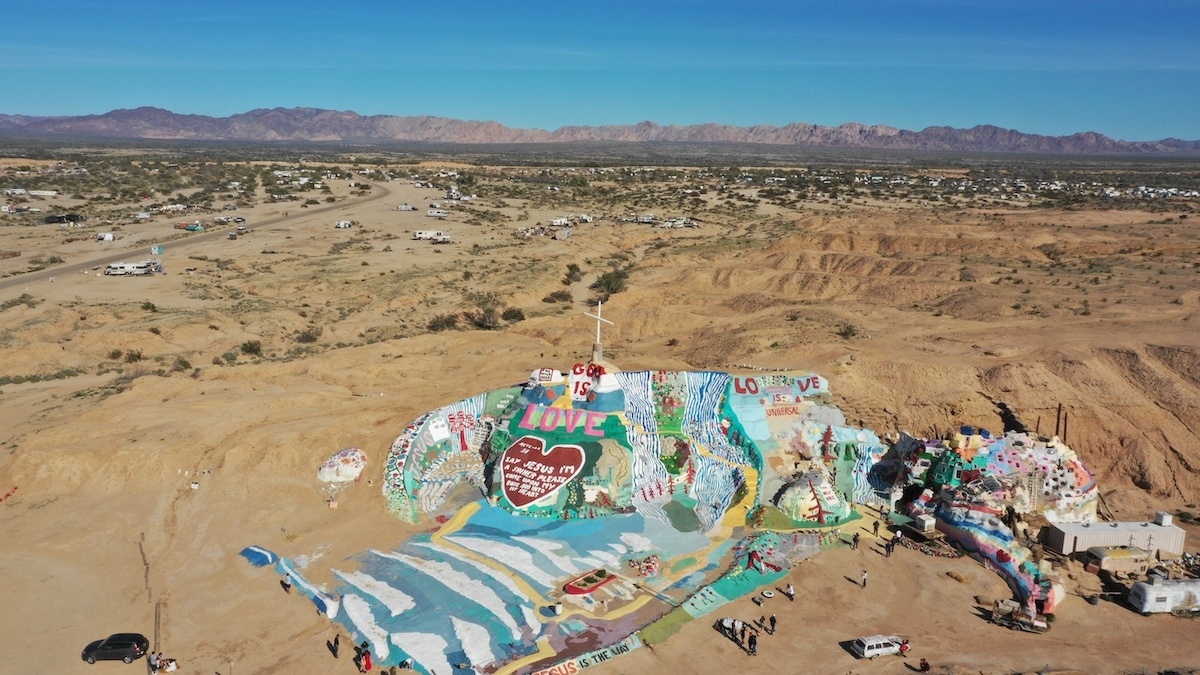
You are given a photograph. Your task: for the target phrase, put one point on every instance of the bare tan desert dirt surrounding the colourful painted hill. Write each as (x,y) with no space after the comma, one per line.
(922,320)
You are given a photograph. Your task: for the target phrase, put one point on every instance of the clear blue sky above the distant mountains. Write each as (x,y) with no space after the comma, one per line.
(1130,70)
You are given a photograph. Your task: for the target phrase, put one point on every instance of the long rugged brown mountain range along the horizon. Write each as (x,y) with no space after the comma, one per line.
(314,126)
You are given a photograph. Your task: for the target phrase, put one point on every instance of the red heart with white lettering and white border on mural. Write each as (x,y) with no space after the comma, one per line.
(529,473)
